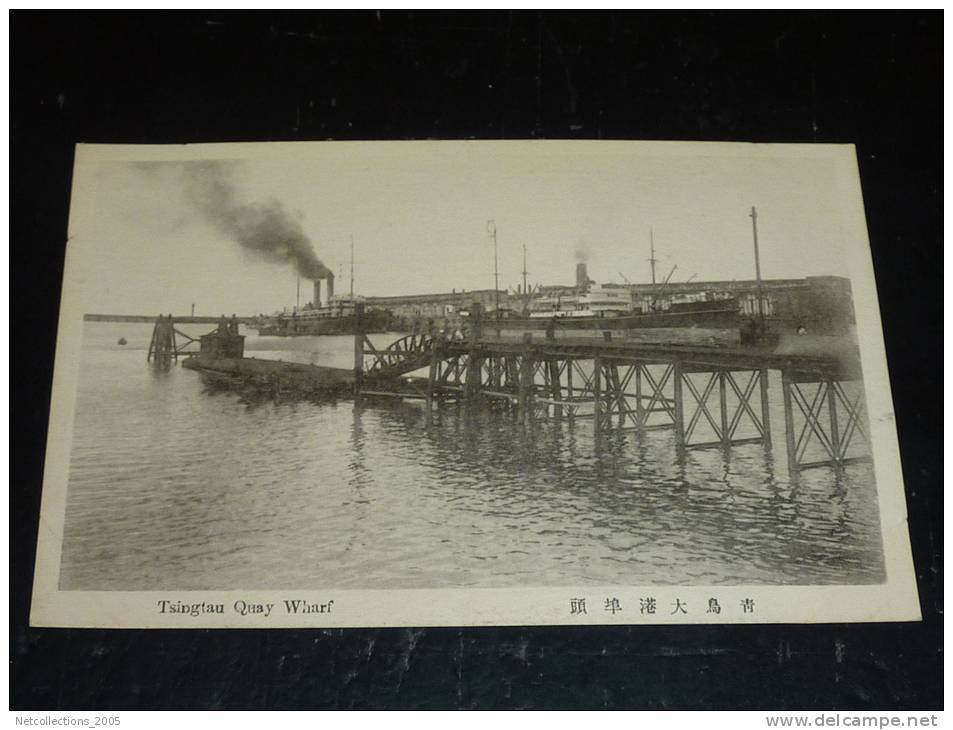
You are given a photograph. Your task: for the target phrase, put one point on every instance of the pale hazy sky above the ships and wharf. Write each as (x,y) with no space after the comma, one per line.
(142,238)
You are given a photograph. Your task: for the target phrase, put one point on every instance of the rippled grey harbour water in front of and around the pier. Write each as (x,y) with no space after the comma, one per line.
(178,485)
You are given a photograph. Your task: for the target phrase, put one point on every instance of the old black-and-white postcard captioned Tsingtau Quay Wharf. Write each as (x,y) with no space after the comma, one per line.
(470,383)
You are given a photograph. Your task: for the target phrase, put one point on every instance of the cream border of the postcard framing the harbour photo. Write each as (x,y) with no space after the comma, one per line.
(894,600)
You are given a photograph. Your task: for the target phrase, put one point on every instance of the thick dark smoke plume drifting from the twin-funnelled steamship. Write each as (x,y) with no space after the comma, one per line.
(263,228)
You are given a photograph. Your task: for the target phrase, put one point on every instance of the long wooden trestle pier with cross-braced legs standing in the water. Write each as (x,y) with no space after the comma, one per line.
(708,396)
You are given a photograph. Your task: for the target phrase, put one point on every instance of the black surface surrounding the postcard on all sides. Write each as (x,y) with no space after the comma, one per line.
(865,78)
